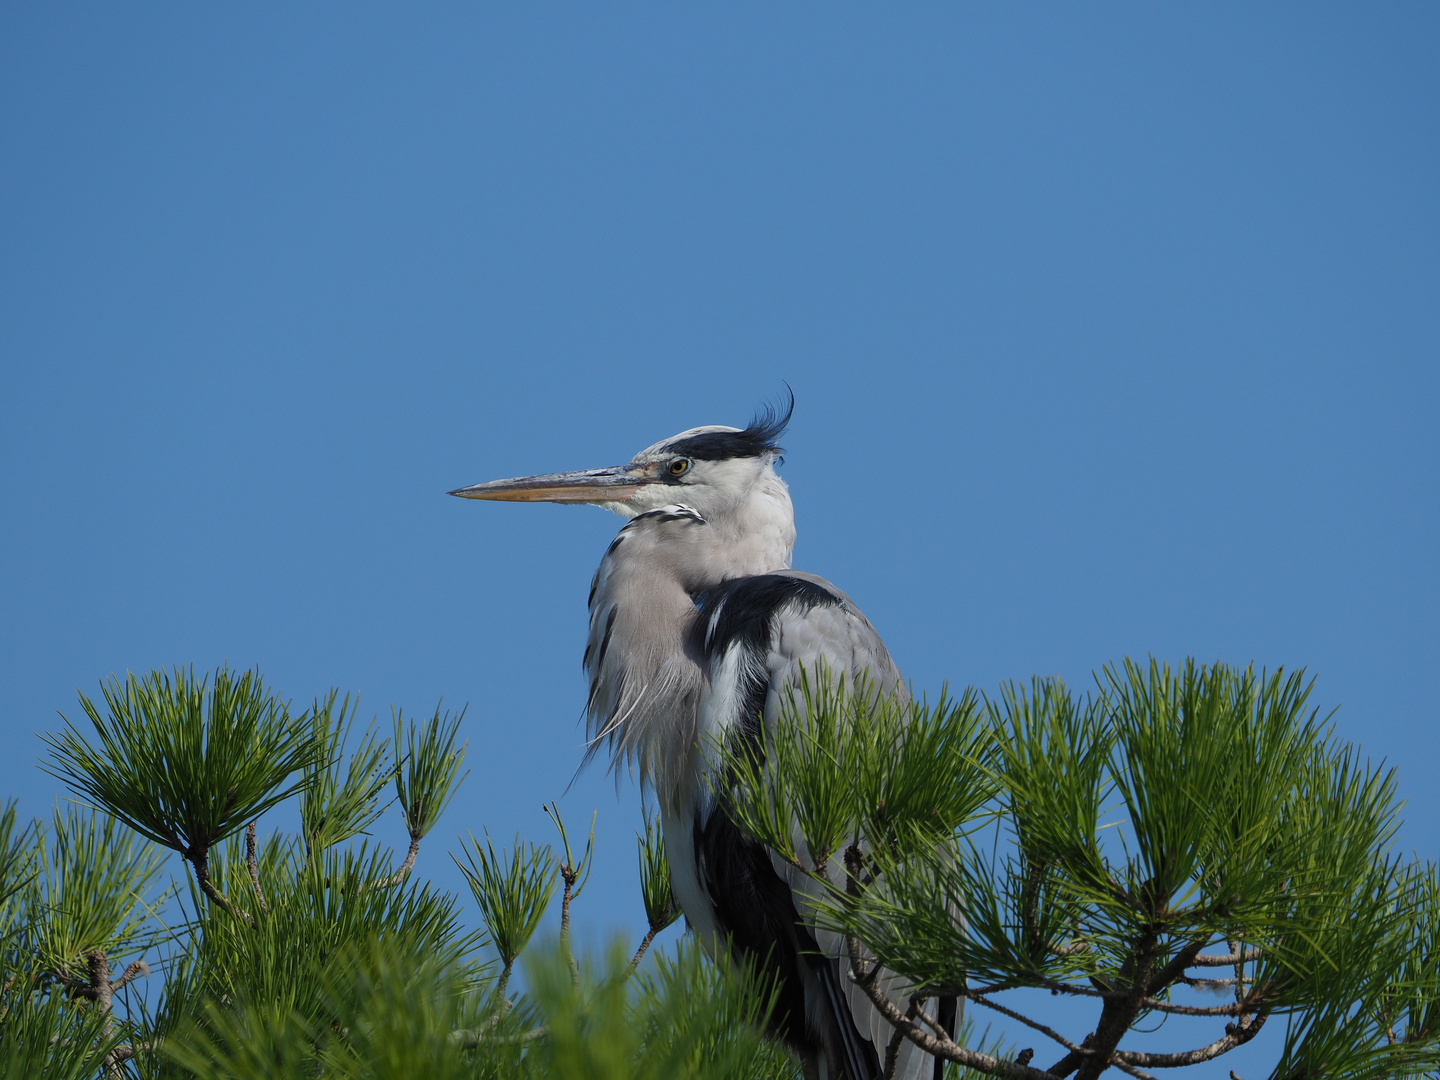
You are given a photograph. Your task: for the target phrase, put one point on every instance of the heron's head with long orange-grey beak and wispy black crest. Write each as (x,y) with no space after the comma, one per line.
(709,469)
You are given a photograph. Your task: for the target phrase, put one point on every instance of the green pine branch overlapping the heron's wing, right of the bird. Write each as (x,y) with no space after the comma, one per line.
(1171,836)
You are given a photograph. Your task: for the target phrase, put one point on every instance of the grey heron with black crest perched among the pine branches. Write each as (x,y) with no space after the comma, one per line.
(698,629)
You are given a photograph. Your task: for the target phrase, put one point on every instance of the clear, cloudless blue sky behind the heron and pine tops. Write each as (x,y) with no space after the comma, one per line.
(1114,332)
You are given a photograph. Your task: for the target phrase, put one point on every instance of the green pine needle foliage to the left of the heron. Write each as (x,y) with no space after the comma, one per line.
(315,955)
